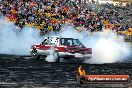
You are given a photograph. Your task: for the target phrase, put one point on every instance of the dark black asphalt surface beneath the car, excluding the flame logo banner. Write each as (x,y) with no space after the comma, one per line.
(24,72)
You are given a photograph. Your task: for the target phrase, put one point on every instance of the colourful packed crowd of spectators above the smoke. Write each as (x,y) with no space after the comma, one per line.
(50,15)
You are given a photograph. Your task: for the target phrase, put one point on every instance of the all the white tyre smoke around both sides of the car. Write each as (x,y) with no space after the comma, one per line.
(107,46)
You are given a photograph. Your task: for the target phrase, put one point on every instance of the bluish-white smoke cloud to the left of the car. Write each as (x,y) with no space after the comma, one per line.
(14,41)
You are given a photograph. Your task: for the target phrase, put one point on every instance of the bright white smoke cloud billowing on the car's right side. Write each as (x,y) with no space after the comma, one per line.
(107,46)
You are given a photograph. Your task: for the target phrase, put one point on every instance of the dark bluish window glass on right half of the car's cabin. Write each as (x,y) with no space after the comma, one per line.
(71,42)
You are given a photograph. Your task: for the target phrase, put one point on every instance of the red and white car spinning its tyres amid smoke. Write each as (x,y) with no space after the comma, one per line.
(61,47)
